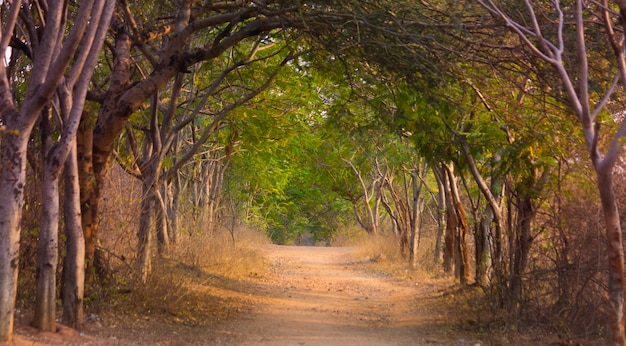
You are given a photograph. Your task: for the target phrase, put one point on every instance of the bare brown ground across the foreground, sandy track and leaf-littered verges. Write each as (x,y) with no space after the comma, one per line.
(308,296)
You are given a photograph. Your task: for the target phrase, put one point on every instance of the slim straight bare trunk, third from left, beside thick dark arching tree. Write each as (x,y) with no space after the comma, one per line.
(74,263)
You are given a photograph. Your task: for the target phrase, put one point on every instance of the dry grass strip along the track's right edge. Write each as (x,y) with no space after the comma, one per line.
(469,310)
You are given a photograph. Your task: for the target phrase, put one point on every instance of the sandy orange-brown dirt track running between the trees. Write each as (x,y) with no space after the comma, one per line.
(320,296)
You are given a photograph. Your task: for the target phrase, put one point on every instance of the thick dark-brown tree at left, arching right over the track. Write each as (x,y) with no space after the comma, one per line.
(194,34)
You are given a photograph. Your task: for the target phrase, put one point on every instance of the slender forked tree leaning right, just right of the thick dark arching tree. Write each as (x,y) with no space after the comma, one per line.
(229,87)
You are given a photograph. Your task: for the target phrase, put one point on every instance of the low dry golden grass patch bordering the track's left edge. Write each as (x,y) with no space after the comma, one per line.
(200,282)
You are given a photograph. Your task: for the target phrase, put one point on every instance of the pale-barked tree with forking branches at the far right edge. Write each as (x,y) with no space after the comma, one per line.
(590,94)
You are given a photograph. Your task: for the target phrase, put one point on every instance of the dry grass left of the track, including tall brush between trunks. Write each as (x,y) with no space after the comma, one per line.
(196,282)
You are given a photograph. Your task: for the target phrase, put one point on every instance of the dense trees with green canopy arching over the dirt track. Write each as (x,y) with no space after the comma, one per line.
(493,127)
